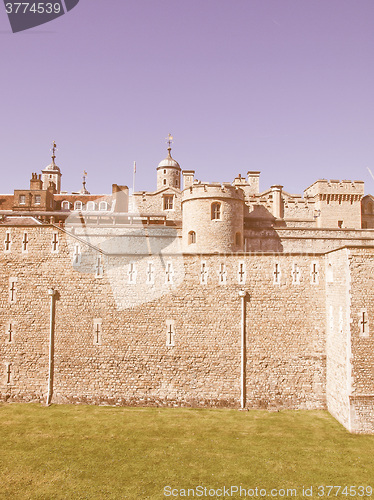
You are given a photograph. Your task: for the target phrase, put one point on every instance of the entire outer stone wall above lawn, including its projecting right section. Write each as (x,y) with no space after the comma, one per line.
(164,329)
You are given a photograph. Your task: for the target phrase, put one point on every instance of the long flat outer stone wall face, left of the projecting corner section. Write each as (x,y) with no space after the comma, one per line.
(107,350)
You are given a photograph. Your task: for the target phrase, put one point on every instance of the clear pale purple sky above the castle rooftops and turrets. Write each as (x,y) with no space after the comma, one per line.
(281,86)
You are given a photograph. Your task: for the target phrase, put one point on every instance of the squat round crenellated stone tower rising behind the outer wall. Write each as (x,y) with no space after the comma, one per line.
(213,218)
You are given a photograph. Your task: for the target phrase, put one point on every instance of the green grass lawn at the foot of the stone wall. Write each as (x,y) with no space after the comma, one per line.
(75,452)
